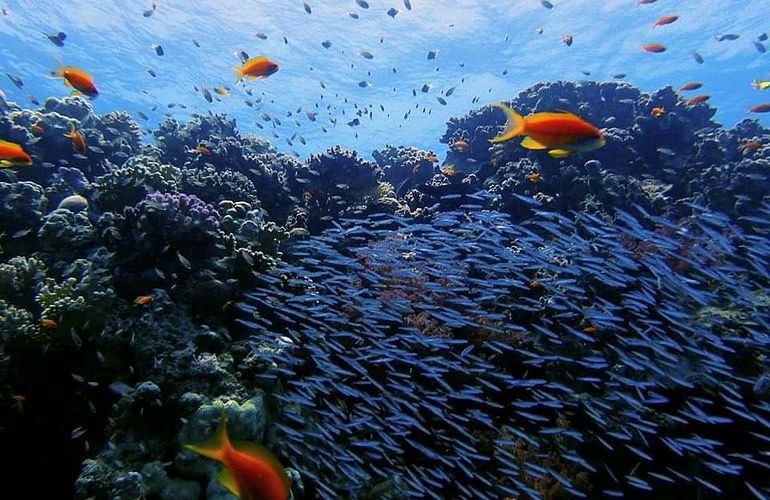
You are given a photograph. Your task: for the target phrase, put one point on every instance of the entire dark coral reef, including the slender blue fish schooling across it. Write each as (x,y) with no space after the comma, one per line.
(585,352)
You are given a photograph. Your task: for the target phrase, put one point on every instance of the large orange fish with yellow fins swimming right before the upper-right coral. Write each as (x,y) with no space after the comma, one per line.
(562,134)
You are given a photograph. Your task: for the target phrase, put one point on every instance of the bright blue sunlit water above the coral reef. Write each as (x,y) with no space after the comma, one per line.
(112,39)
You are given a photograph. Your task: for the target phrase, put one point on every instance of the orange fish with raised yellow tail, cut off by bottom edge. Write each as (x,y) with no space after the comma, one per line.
(250,471)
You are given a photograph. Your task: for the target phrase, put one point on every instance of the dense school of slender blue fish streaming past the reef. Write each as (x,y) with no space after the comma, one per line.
(470,357)
